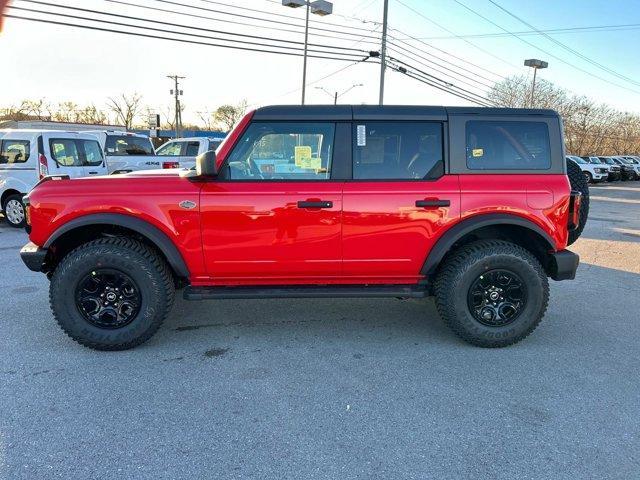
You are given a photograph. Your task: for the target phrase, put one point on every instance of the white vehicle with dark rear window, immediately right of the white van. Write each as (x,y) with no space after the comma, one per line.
(125,151)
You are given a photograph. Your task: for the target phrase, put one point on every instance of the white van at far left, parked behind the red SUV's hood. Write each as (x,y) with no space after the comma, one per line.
(27,156)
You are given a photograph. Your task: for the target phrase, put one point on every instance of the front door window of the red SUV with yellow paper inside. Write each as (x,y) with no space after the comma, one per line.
(283,151)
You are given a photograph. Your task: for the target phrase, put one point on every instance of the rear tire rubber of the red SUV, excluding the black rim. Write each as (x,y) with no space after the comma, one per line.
(462,268)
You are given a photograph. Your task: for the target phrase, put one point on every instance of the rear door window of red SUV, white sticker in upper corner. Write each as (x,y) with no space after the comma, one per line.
(398,150)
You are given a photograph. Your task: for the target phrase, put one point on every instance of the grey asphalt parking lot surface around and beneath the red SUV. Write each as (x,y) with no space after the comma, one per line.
(334,389)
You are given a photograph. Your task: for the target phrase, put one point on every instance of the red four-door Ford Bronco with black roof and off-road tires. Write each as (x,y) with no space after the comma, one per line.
(472,205)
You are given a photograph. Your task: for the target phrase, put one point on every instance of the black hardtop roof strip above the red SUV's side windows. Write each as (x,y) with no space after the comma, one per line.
(385,112)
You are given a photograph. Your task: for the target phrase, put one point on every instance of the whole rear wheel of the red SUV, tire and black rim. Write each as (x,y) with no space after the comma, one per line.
(492,293)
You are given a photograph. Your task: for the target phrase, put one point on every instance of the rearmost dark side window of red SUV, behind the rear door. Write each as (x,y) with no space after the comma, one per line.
(504,145)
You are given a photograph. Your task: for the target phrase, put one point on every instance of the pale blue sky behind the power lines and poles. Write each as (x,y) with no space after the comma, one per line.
(61,63)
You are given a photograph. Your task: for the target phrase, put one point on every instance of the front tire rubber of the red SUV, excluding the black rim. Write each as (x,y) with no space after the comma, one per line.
(142,264)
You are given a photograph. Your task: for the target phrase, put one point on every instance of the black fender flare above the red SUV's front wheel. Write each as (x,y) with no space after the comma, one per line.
(144,228)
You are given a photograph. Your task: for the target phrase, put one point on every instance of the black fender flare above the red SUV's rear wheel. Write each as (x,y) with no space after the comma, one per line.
(455,233)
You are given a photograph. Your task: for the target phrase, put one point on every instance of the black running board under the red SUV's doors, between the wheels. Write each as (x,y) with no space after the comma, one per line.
(338,291)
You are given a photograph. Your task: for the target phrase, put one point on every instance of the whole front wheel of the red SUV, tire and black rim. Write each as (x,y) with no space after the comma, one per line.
(111,294)
